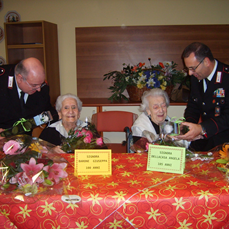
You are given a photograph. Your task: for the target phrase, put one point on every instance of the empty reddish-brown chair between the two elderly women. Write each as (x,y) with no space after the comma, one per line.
(115,121)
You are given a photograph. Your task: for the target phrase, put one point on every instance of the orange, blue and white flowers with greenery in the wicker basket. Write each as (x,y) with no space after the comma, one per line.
(160,75)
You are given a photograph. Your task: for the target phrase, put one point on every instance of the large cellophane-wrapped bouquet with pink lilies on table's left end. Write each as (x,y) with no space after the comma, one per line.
(30,166)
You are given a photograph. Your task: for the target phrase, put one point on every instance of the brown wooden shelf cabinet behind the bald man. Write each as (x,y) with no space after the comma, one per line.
(35,39)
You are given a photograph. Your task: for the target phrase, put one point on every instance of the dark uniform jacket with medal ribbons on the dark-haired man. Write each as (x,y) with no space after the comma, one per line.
(212,107)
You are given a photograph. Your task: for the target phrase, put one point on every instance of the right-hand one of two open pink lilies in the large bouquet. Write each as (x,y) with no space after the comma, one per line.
(56,171)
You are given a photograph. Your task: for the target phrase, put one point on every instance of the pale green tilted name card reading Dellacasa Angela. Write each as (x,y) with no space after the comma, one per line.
(166,159)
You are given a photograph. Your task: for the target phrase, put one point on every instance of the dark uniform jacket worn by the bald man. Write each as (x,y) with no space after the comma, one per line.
(10,109)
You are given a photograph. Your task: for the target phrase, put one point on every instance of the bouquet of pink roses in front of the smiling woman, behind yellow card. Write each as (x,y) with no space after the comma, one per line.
(82,138)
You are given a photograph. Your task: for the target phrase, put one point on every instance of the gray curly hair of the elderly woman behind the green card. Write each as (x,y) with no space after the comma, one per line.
(154,93)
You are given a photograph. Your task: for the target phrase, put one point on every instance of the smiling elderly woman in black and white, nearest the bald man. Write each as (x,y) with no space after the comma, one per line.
(68,107)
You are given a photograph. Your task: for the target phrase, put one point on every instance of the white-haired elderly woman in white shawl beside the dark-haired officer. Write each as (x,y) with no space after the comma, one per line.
(154,112)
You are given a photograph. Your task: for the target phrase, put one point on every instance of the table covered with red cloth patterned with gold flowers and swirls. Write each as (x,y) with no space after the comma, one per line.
(131,198)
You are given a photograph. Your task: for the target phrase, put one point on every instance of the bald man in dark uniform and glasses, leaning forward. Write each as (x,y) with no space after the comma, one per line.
(23,92)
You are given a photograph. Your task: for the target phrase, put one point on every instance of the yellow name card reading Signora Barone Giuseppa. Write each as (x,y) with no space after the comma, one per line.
(93,162)
